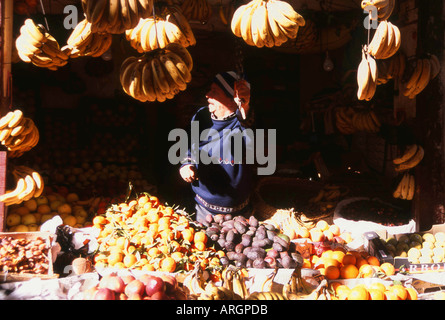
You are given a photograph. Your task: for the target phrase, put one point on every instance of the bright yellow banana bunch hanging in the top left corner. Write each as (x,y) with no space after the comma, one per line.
(35,45)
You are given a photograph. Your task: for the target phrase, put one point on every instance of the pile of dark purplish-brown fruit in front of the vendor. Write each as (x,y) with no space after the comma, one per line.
(250,243)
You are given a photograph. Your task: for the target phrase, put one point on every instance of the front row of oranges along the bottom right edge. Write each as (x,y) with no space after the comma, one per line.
(373,291)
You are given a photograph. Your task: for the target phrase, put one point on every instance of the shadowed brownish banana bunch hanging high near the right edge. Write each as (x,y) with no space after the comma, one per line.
(424,71)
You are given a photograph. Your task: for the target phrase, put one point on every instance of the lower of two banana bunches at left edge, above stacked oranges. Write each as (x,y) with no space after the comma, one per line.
(28,184)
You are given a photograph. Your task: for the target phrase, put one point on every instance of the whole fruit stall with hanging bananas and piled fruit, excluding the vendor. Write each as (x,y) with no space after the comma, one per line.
(91,208)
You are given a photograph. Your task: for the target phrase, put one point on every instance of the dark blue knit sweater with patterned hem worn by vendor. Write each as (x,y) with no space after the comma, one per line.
(225,182)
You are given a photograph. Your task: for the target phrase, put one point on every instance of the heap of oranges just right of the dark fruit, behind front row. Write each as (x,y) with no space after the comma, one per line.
(338,263)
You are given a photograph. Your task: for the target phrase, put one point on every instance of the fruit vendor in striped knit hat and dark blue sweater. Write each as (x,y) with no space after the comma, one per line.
(224,183)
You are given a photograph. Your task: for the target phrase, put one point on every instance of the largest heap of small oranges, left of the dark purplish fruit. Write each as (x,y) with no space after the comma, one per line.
(146,235)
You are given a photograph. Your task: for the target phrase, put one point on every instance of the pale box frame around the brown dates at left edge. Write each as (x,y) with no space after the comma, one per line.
(12,276)
